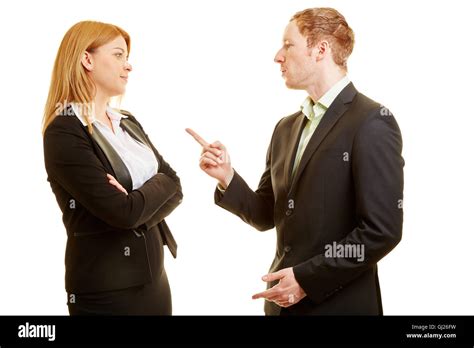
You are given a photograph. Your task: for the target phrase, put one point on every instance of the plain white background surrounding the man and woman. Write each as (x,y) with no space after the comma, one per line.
(209,65)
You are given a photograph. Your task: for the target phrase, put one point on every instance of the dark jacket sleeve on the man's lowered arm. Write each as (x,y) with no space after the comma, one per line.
(377,171)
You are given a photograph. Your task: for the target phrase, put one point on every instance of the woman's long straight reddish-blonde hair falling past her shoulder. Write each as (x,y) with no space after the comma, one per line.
(69,81)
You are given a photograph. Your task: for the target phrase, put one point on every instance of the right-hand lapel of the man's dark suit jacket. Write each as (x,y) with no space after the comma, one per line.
(330,118)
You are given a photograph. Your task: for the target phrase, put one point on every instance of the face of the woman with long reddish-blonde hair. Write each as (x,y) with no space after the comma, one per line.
(108,65)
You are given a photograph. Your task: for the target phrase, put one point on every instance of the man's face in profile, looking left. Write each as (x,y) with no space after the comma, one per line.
(297,61)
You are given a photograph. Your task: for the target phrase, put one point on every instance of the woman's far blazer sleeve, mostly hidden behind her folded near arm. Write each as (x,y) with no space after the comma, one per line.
(165,169)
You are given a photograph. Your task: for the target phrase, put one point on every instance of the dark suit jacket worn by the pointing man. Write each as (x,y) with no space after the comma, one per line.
(348,189)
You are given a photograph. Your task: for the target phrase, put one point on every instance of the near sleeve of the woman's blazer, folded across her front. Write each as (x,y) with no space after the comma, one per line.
(70,161)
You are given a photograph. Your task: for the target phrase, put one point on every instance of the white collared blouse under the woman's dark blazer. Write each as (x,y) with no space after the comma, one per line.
(139,158)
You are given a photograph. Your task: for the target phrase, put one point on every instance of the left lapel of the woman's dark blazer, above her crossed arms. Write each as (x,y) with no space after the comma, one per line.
(120,169)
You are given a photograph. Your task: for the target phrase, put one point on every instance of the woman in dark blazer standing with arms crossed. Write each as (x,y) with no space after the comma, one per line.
(112,186)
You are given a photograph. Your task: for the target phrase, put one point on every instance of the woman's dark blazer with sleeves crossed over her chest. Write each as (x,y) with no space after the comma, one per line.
(109,233)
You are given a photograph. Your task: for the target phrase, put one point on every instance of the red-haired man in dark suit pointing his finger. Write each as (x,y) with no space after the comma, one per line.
(333,182)
